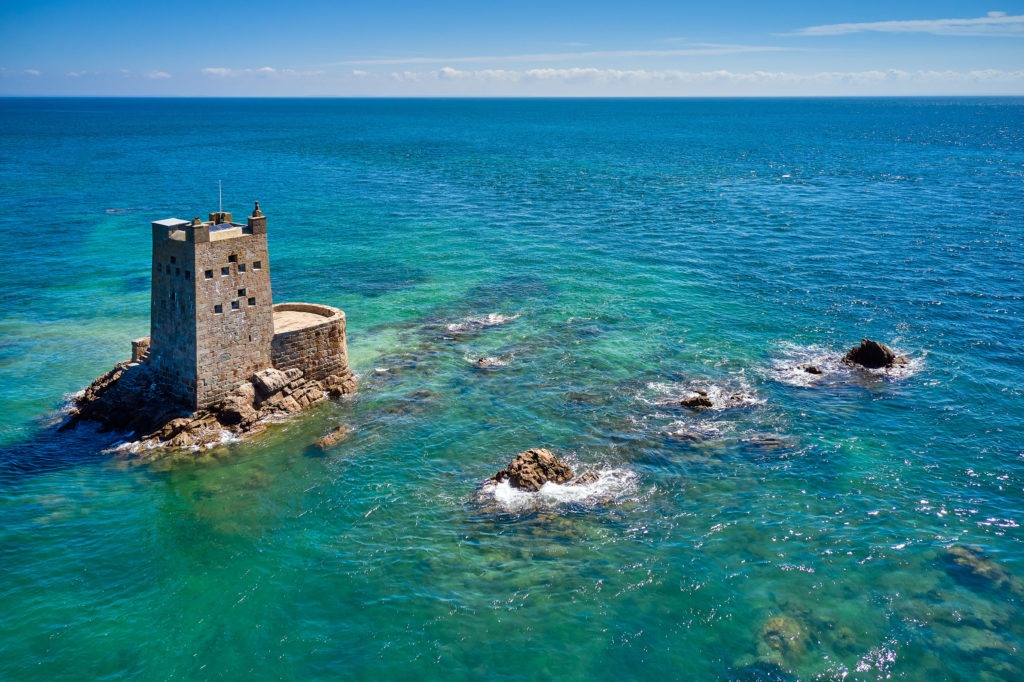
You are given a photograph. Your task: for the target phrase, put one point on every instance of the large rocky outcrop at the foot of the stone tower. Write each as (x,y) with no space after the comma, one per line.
(130,399)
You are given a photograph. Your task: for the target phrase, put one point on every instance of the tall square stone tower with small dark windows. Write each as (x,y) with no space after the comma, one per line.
(211,312)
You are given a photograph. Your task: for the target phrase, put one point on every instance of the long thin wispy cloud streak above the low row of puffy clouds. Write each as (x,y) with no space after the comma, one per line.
(696,51)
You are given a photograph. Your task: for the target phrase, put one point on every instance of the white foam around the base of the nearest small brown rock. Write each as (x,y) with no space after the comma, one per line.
(612,485)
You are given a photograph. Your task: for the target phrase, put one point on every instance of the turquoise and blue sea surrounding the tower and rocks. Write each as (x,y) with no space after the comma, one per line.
(613,257)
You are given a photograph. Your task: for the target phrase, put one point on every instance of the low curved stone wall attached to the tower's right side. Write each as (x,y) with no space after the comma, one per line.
(319,350)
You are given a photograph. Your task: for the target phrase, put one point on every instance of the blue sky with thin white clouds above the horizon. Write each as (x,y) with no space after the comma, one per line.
(526,49)
